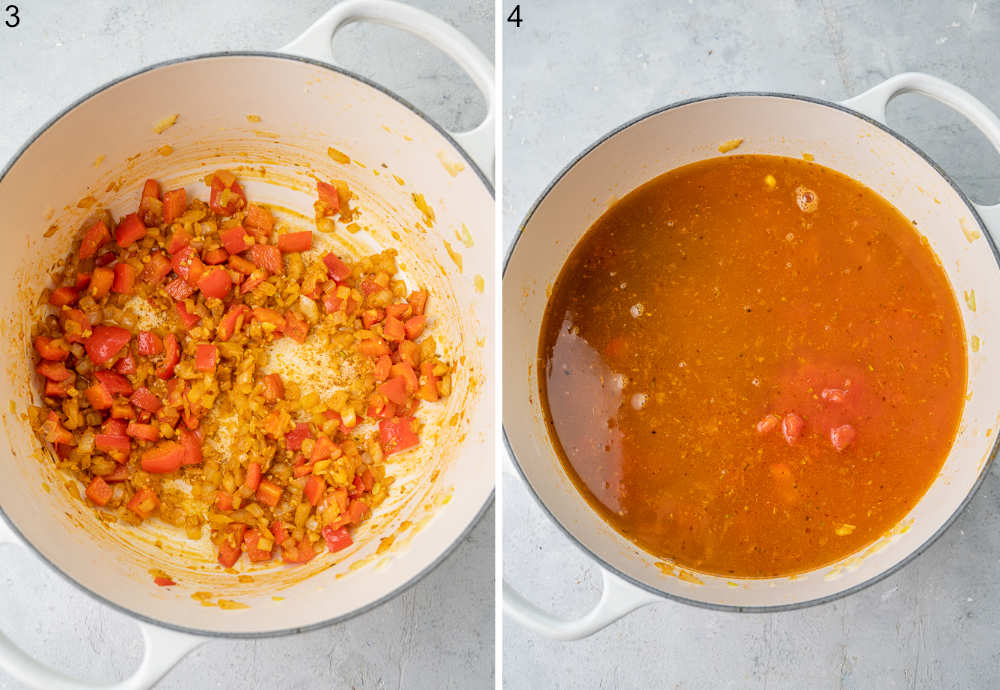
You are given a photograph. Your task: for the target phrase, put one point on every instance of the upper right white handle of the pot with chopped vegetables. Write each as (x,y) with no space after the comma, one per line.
(316,43)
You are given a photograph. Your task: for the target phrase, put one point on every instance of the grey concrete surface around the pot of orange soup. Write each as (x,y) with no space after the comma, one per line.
(575,70)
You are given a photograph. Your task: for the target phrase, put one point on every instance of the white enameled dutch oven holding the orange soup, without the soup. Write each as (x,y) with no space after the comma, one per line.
(850,137)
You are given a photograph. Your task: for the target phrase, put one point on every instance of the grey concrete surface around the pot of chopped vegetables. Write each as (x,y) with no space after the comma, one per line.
(439,634)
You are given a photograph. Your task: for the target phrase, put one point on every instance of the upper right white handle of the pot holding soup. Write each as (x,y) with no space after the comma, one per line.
(874,101)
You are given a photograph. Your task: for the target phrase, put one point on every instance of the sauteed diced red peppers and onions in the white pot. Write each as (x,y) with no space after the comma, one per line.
(160,389)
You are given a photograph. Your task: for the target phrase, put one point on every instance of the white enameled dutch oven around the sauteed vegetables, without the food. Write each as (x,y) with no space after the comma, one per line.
(102,148)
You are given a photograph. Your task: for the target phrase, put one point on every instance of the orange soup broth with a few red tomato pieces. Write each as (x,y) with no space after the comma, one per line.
(752,366)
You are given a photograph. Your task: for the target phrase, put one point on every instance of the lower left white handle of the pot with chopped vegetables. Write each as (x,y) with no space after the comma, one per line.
(163,649)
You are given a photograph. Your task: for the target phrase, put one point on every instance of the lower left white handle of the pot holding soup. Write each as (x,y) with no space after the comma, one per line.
(617,599)
